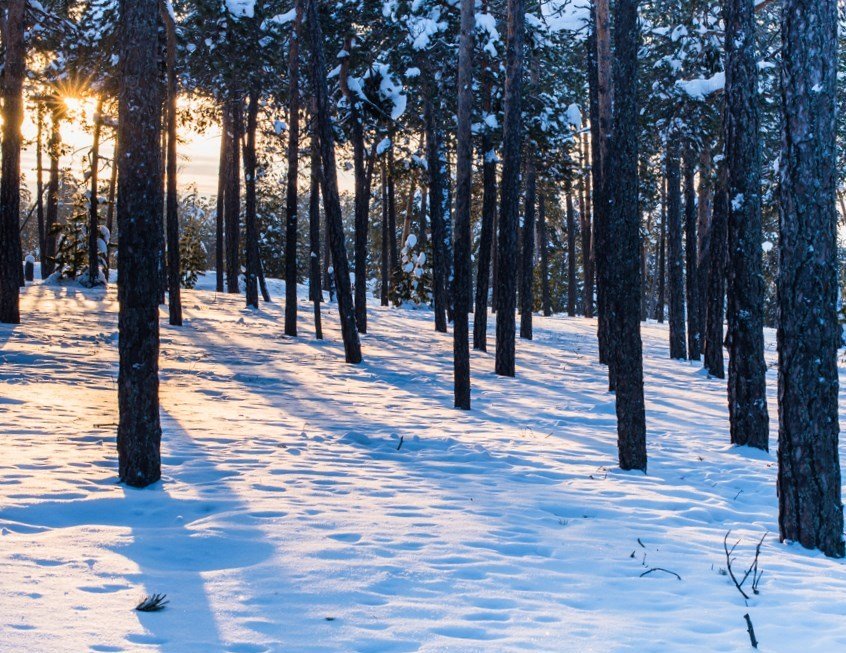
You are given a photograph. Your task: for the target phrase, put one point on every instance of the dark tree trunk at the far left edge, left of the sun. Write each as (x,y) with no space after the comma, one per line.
(14,70)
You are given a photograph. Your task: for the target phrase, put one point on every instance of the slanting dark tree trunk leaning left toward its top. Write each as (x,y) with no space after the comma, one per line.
(329,181)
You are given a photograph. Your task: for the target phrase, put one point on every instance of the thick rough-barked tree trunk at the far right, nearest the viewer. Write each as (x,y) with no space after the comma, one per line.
(810,505)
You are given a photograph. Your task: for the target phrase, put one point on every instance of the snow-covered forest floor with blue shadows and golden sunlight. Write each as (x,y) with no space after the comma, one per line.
(309,505)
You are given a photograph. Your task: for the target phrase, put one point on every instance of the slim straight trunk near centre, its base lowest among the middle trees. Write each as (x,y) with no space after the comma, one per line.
(463,281)
